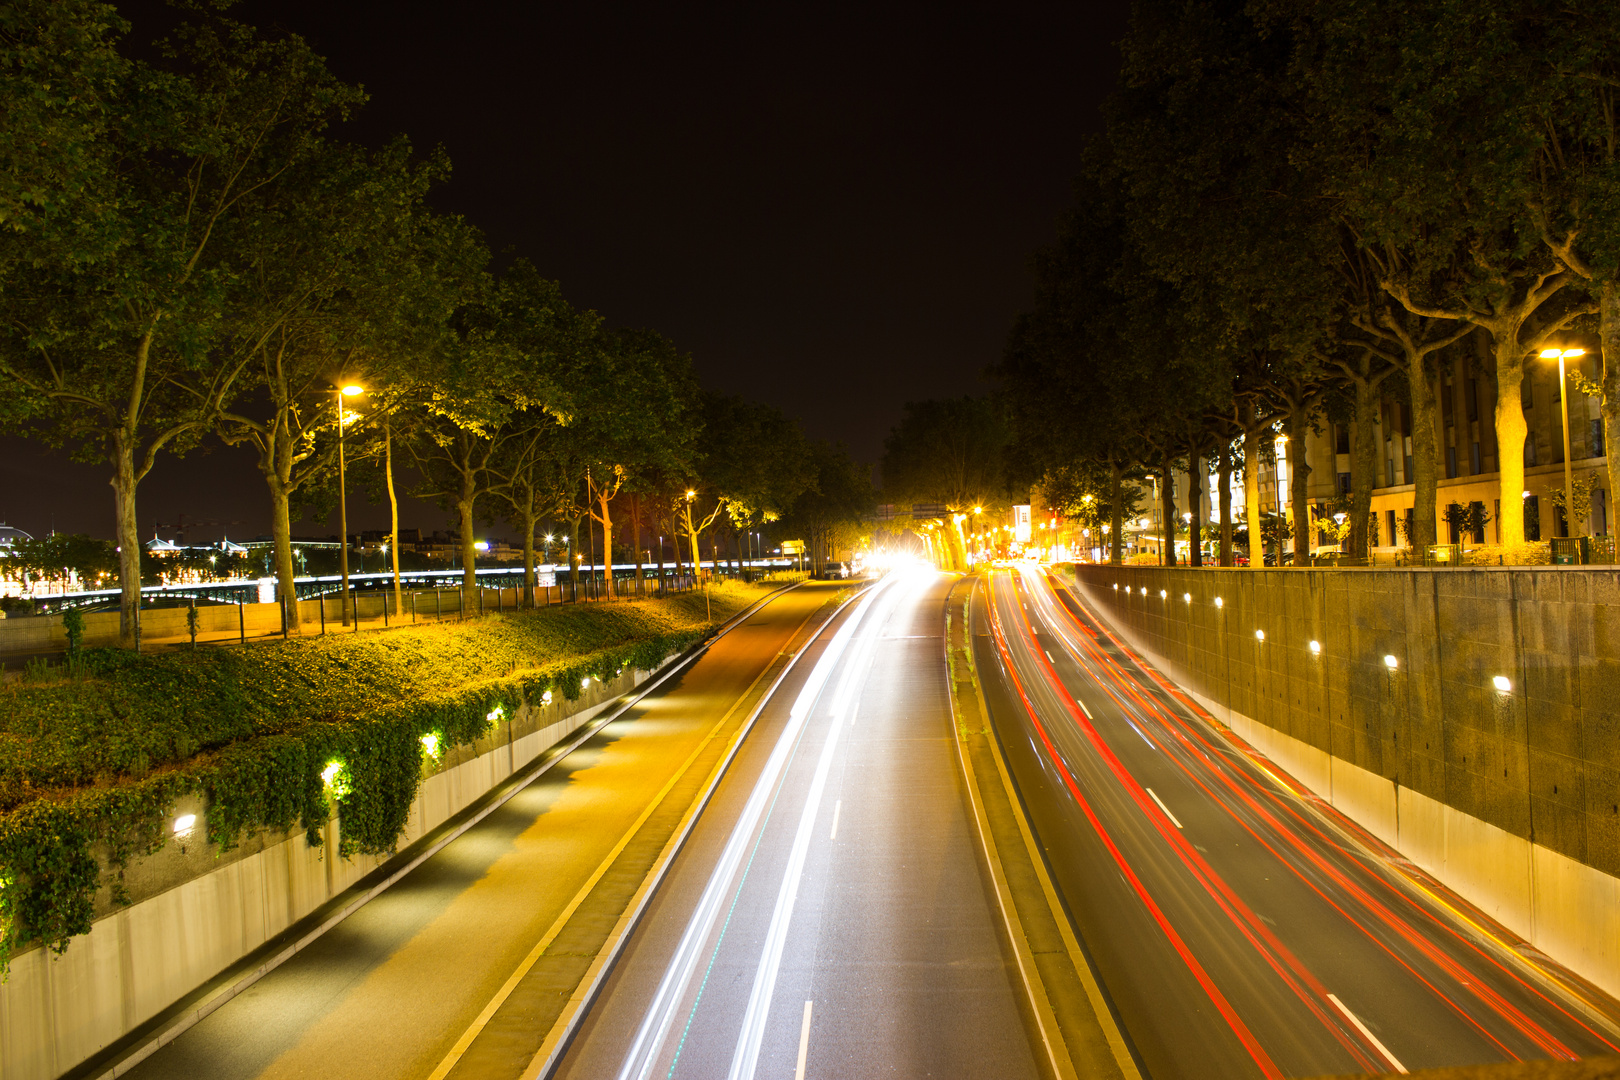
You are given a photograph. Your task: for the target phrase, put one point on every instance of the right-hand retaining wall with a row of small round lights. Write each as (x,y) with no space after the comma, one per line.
(1509,796)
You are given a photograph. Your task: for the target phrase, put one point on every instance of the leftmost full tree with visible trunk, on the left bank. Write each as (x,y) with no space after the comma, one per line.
(116,355)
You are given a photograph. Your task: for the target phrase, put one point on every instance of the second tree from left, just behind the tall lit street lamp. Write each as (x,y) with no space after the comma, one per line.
(346,281)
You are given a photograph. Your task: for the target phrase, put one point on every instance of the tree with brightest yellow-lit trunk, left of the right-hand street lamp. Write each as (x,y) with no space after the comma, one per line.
(1422,130)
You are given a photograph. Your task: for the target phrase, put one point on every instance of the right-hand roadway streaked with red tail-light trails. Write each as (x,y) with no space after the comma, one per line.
(1240,925)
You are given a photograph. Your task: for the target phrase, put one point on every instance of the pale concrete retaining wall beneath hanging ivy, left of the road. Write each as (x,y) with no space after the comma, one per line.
(198,911)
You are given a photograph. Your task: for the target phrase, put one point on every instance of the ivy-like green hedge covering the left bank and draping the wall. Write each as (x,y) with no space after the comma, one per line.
(96,763)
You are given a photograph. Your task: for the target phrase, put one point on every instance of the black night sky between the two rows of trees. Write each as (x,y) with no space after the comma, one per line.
(830,208)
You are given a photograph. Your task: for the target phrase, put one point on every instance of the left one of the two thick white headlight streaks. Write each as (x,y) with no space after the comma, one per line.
(678,977)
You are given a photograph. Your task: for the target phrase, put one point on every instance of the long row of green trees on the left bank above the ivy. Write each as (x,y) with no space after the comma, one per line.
(189,252)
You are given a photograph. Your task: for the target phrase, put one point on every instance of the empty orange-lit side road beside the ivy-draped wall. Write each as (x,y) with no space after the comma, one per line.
(391,990)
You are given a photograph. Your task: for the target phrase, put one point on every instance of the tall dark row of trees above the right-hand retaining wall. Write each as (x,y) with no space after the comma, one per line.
(1300,208)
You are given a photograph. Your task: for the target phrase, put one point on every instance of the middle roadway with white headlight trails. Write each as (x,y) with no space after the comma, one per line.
(829,916)
